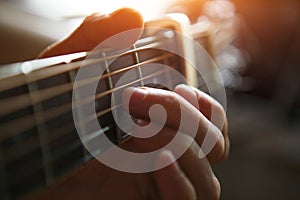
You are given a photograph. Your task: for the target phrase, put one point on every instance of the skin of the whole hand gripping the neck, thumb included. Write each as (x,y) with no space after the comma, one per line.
(187,178)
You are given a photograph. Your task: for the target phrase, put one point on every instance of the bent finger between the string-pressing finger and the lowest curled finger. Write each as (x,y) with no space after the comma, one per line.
(198,171)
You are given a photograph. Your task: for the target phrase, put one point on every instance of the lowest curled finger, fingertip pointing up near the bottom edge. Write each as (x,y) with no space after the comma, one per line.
(172,183)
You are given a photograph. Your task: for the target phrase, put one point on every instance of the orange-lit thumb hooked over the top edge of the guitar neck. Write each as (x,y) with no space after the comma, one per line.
(98,27)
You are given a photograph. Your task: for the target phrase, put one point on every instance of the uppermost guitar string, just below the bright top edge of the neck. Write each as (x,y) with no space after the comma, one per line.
(19,79)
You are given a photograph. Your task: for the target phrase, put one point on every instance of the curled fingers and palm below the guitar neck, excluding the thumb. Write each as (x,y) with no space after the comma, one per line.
(191,177)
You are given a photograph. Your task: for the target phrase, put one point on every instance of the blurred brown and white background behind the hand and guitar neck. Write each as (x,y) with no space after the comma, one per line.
(256,44)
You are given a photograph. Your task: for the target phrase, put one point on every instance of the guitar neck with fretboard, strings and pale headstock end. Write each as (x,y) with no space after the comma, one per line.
(39,143)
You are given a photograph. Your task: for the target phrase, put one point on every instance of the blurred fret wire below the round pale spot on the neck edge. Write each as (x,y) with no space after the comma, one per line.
(42,136)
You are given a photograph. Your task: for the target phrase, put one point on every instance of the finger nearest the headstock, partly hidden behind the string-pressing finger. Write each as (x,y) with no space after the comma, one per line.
(210,108)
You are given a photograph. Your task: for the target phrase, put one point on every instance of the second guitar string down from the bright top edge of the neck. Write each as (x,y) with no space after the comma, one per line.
(23,101)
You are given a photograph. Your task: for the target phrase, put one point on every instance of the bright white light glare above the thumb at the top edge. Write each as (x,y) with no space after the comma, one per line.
(73,8)
